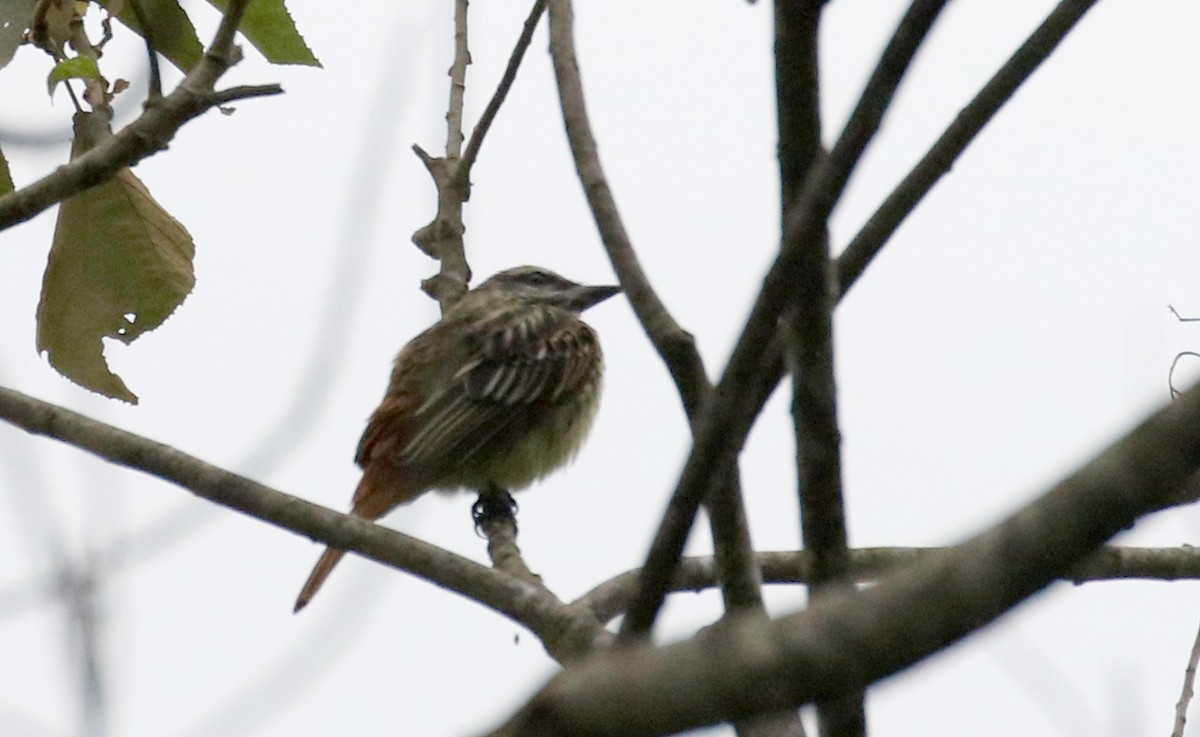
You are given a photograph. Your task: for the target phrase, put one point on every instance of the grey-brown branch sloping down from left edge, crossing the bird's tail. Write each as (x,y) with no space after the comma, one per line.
(566,631)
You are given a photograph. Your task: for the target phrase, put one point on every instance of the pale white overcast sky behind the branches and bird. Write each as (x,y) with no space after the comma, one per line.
(1016,323)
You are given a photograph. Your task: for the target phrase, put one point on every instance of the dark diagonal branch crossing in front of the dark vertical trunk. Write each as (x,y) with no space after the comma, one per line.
(727,422)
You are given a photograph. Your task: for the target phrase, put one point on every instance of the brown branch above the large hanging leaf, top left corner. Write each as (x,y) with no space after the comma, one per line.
(146,136)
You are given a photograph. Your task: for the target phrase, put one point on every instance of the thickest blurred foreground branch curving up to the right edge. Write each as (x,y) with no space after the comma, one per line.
(849,640)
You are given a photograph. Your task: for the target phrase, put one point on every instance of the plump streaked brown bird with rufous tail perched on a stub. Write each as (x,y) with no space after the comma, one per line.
(496,396)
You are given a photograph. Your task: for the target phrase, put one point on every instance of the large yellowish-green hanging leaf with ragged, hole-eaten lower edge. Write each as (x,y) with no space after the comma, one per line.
(119,266)
